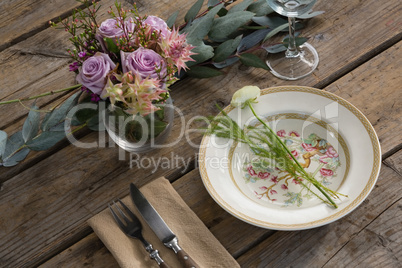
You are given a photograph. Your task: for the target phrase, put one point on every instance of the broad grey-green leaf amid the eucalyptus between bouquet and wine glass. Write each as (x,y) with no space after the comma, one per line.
(224,26)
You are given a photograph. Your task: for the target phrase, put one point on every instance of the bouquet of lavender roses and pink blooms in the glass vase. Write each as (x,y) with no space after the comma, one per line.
(130,60)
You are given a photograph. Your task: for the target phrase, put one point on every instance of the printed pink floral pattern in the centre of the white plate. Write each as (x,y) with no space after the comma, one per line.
(314,154)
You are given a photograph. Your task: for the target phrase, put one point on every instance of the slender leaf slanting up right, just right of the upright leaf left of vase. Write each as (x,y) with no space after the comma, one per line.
(58,115)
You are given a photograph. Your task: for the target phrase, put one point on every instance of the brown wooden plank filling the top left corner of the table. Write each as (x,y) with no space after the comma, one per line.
(29,17)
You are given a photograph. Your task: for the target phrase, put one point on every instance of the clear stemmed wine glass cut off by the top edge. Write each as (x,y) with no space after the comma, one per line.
(297,61)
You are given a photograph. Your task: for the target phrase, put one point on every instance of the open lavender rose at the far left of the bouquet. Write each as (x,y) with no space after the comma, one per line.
(93,72)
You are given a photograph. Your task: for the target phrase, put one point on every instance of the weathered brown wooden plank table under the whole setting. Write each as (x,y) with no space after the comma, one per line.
(46,200)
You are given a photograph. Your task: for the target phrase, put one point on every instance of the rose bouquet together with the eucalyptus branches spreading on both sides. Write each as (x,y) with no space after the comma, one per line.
(129,61)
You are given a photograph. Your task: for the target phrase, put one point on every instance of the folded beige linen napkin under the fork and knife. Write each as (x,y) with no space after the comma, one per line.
(194,237)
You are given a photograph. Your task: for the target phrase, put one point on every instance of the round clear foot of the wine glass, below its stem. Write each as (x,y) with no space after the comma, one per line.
(294,67)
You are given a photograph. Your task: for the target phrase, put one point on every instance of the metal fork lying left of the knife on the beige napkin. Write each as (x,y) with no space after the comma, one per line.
(132,227)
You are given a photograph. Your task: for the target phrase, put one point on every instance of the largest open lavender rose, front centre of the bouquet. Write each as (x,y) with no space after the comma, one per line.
(145,62)
